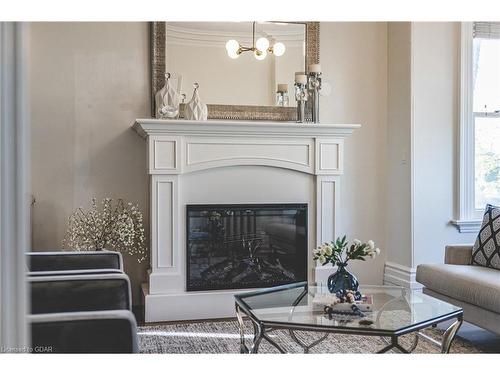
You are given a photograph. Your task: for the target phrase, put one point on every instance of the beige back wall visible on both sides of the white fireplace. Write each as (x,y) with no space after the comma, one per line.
(90,81)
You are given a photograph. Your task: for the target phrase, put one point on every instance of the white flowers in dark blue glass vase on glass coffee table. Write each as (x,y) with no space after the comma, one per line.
(339,253)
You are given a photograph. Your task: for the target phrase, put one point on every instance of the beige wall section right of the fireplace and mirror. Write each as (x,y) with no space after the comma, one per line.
(354,60)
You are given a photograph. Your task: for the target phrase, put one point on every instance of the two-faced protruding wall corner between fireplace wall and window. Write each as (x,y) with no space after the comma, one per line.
(424,83)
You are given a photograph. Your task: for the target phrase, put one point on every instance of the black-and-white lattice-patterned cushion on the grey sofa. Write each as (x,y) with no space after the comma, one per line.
(486,250)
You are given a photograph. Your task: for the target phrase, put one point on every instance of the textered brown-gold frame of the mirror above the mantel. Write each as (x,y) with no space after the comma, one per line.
(225,111)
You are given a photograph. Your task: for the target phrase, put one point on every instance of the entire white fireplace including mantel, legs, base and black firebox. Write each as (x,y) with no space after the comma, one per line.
(241,162)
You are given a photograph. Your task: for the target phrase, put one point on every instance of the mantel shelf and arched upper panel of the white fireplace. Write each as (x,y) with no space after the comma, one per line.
(262,144)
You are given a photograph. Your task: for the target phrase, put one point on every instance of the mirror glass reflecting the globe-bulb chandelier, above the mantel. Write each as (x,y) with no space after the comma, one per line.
(237,63)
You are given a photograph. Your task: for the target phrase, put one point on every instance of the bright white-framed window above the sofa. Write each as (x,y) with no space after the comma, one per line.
(480,122)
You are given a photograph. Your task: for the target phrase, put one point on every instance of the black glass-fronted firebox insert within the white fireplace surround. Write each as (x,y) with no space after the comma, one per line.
(245,245)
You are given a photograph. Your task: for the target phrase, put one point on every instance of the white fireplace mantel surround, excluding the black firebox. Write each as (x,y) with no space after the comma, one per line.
(191,162)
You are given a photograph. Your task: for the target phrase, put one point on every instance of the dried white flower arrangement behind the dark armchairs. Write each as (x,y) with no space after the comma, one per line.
(114,227)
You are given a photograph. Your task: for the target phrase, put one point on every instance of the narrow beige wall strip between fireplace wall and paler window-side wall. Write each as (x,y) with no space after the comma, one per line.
(398,195)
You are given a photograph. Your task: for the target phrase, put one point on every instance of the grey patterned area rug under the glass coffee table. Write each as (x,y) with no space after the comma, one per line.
(220,337)
